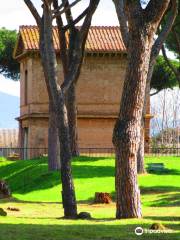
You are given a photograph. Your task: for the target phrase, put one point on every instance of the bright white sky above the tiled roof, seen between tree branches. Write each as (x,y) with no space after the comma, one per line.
(15,13)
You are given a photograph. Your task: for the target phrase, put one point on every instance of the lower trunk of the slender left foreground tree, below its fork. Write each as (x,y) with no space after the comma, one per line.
(68,192)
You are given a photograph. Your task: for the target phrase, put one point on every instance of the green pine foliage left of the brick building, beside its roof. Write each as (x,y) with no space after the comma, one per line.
(8,66)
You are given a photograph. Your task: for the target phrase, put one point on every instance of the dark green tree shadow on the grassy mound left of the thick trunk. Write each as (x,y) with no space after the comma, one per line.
(31,175)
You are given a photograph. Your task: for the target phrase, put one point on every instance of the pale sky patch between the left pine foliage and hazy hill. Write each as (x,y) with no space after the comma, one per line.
(9,86)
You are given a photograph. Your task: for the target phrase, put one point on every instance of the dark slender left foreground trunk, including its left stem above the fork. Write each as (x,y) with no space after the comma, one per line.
(48,58)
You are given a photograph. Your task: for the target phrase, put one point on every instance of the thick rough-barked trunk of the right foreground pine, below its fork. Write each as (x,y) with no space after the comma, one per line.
(126,135)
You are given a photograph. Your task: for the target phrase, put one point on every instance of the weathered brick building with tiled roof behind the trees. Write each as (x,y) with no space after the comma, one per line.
(98,91)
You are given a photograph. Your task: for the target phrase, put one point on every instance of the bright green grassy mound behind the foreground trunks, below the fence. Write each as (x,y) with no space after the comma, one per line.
(30,180)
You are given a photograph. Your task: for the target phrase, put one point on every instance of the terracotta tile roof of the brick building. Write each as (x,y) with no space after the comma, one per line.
(100,39)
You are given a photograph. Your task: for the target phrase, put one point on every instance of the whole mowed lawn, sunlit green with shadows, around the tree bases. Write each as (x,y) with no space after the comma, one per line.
(37,194)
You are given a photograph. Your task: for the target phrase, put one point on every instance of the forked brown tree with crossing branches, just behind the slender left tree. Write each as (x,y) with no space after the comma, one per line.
(72,53)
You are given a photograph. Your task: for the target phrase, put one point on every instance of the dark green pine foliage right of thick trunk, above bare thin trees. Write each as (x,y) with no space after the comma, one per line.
(163,77)
